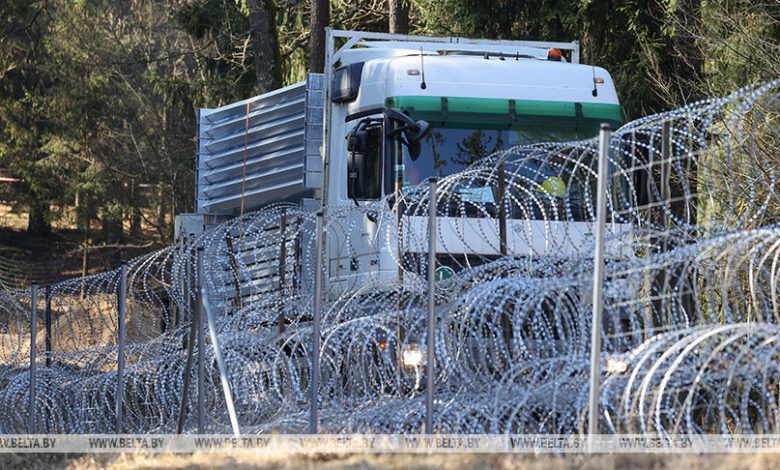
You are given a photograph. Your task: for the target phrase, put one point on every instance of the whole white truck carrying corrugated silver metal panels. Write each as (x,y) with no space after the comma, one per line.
(389,112)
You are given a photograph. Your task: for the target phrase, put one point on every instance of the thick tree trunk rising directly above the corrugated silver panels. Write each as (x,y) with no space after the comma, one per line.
(265,47)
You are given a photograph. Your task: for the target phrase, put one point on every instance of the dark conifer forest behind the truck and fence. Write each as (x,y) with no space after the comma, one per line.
(98,98)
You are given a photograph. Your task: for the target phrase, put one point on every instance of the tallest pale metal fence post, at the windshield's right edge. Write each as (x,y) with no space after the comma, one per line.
(598,285)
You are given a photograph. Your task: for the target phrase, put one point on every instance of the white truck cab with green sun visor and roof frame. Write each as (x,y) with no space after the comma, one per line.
(467,102)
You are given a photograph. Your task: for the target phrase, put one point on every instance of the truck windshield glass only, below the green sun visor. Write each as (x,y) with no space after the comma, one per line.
(543,189)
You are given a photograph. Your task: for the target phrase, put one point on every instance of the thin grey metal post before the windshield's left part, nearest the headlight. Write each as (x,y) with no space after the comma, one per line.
(431,308)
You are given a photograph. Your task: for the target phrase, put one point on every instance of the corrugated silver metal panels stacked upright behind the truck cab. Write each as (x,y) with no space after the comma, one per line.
(261,150)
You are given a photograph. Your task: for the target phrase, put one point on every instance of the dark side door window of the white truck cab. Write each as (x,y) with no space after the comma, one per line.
(364,160)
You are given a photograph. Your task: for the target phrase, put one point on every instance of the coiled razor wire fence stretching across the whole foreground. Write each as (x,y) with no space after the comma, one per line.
(690,335)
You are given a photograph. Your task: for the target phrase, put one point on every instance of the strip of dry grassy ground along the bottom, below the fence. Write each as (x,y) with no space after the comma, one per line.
(391,461)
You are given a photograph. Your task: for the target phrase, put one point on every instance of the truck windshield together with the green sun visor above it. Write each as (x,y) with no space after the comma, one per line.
(467,130)
